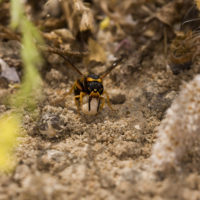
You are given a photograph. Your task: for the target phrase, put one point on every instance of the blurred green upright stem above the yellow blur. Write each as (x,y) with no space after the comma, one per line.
(31,58)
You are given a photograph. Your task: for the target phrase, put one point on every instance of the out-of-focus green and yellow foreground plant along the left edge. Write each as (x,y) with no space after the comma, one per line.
(10,123)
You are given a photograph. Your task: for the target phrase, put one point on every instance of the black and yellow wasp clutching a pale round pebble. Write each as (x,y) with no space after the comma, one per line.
(89,90)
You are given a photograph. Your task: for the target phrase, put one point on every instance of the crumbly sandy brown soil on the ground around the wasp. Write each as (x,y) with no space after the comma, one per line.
(67,155)
